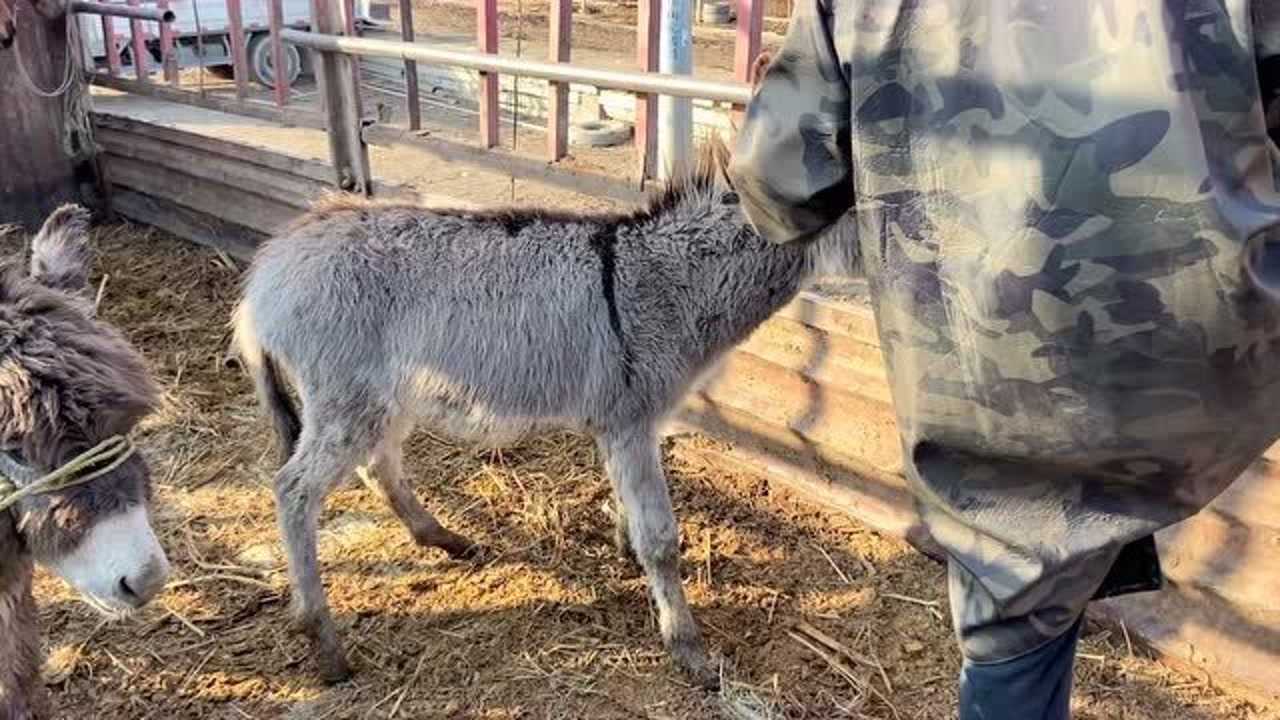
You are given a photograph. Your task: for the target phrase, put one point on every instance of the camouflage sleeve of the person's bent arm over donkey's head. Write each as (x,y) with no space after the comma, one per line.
(792,163)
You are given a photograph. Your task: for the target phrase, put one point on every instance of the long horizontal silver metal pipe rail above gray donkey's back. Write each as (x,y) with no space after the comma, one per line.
(735,93)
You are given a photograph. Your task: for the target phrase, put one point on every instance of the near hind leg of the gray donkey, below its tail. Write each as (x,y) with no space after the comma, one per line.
(301,487)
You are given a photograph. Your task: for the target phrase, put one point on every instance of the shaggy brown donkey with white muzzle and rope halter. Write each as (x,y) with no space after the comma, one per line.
(67,382)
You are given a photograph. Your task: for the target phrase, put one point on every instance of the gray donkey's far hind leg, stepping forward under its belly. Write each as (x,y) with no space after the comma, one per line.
(385,476)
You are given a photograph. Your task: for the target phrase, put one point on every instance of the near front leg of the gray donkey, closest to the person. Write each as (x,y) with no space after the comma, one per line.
(634,464)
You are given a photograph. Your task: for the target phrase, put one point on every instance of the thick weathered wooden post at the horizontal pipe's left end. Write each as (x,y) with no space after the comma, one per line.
(341,104)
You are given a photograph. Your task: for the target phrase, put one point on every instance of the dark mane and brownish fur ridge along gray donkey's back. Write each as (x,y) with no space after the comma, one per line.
(712,163)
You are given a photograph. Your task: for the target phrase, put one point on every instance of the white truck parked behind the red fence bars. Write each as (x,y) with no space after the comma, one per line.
(204,25)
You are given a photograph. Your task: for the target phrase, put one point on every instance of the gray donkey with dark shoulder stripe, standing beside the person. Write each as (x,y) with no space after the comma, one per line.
(488,326)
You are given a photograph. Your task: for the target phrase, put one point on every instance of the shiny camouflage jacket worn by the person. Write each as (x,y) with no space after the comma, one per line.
(1063,211)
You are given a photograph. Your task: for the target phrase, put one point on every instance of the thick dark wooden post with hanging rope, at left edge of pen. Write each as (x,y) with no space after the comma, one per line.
(36,172)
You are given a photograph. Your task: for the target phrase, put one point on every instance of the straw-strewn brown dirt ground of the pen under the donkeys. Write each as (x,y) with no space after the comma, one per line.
(552,627)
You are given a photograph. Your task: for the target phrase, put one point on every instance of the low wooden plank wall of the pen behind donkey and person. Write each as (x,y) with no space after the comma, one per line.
(804,402)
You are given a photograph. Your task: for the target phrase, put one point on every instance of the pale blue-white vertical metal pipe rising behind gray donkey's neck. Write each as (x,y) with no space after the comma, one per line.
(675,115)
